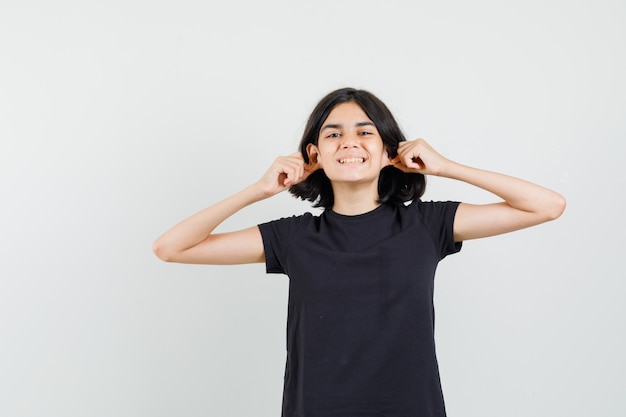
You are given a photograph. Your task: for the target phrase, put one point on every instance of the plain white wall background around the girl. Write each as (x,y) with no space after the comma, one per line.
(120,118)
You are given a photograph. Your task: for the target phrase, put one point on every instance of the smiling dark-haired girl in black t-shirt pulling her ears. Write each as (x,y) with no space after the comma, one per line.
(360,326)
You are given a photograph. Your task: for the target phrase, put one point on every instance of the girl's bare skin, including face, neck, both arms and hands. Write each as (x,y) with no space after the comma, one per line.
(346,136)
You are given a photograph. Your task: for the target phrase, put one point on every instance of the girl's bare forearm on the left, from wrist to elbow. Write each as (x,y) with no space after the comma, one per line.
(199,226)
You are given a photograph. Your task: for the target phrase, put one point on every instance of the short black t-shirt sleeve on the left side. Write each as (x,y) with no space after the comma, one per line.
(277,236)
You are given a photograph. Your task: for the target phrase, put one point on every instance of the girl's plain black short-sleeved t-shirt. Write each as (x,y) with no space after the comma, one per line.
(360,325)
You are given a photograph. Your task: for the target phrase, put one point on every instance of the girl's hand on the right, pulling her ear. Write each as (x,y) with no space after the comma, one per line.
(418,156)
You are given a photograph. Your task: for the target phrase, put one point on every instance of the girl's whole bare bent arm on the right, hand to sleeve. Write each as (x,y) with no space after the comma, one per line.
(524,204)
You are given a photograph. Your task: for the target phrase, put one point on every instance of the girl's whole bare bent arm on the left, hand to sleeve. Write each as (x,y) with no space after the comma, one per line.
(193,241)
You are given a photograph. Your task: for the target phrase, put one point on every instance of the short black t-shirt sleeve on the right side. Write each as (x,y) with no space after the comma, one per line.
(438,217)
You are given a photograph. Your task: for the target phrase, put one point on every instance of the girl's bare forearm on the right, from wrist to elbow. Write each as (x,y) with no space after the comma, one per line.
(520,194)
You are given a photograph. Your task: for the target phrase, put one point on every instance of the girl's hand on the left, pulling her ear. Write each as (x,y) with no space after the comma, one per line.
(283,173)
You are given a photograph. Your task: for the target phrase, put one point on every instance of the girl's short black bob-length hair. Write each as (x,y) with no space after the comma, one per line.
(394,185)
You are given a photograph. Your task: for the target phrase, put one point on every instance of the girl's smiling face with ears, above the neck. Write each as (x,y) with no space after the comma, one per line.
(349,147)
